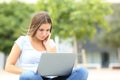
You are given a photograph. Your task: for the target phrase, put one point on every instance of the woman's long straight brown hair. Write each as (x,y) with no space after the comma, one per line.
(37,20)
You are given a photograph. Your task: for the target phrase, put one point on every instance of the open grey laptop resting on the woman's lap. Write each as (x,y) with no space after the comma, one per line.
(56,64)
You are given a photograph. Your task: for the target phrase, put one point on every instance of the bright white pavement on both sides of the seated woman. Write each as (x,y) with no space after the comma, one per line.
(99,74)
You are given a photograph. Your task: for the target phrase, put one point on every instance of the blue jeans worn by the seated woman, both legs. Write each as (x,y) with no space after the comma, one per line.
(77,74)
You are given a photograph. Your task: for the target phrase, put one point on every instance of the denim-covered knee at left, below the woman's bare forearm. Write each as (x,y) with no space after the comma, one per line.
(30,75)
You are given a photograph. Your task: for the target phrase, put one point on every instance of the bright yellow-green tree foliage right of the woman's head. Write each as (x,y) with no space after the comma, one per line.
(76,18)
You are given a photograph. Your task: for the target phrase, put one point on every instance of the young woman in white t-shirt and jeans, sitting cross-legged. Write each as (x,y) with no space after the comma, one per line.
(26,51)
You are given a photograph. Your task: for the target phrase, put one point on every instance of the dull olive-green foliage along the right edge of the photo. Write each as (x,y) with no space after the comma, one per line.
(112,38)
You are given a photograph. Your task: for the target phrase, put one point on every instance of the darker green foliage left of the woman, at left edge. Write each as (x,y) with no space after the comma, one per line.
(14,16)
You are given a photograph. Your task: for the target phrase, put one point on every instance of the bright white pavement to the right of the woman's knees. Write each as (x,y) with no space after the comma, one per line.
(104,74)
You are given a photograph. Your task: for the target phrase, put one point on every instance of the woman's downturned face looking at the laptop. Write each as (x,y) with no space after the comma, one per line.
(43,31)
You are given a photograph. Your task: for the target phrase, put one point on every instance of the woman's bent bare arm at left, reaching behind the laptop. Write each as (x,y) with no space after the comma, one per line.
(12,59)
